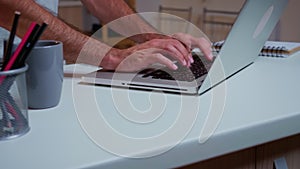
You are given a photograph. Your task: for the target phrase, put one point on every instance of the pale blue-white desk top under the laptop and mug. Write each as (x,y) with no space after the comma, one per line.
(261,105)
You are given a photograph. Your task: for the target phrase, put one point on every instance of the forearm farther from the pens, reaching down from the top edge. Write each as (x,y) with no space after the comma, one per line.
(132,26)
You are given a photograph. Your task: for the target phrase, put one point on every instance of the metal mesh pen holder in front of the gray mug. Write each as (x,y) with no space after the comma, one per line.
(13,103)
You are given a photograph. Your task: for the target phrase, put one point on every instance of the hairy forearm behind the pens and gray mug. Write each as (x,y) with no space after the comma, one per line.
(73,40)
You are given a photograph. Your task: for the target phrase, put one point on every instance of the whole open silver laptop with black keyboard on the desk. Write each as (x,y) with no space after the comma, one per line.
(250,31)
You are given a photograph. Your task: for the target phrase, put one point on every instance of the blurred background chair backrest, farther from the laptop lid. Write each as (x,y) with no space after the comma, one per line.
(178,20)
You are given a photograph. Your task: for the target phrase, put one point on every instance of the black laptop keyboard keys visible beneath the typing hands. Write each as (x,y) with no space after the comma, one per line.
(196,70)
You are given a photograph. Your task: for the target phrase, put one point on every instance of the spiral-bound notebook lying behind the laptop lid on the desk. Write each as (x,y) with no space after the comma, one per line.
(272,48)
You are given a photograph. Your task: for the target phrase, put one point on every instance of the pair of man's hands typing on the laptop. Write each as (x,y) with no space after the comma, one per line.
(156,51)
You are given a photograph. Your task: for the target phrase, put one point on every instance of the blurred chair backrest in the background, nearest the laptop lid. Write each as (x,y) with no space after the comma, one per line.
(217,23)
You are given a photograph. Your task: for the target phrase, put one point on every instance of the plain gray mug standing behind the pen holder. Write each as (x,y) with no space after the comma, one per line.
(44,77)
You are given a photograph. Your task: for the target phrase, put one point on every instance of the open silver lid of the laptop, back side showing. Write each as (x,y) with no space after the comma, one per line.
(250,31)
